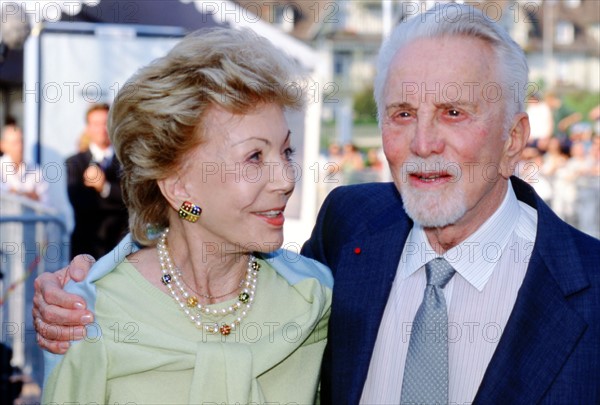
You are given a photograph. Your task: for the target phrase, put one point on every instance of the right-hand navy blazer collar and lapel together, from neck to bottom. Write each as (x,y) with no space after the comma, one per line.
(542,329)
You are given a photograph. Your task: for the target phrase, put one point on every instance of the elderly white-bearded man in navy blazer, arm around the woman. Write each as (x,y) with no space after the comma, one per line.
(455,284)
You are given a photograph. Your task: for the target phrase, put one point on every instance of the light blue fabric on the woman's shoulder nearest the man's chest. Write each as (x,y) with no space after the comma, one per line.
(296,268)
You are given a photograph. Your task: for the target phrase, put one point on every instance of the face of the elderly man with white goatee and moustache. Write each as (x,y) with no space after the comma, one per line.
(443,131)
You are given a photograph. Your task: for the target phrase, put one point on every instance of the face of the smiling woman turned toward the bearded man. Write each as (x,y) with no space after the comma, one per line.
(241,177)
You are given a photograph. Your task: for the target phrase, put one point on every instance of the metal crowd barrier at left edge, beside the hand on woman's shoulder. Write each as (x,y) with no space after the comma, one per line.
(33,239)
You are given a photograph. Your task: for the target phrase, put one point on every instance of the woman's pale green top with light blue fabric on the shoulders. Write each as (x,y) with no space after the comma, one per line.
(142,349)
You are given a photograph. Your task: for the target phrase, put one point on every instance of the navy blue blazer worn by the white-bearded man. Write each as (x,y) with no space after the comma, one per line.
(549,352)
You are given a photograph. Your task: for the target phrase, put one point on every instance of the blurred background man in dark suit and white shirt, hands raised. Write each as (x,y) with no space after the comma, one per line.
(94,190)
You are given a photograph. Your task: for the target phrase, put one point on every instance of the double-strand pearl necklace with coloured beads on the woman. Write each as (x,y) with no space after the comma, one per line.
(189,303)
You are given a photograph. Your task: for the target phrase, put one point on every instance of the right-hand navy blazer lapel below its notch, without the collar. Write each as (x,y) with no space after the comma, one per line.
(539,337)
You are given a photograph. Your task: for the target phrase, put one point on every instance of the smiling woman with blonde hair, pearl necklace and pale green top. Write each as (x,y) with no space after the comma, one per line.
(197,305)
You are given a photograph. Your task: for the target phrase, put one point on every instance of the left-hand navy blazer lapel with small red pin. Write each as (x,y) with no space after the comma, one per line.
(364,279)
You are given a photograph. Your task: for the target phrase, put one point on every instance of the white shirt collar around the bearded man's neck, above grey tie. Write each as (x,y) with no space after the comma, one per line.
(475,258)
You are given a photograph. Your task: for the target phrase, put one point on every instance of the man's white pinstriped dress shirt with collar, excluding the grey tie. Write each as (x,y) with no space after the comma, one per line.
(490,266)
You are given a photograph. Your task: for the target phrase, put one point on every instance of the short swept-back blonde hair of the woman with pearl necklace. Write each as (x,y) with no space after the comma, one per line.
(157,115)
